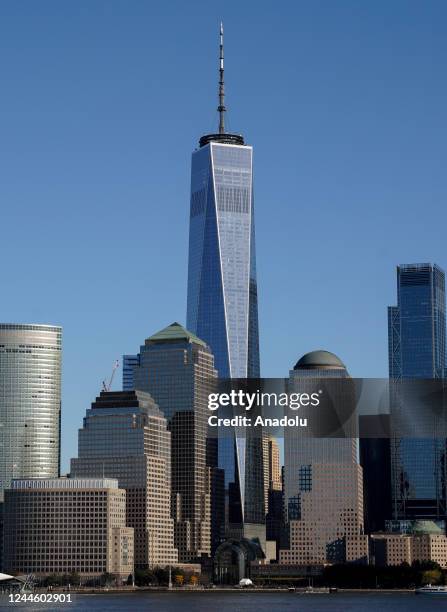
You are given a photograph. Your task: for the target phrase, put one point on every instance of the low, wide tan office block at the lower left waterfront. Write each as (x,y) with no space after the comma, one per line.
(64,526)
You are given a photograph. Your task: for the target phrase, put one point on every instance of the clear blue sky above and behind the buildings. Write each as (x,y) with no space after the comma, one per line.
(101,105)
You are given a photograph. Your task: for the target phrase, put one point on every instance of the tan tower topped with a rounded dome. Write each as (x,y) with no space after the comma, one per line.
(323,478)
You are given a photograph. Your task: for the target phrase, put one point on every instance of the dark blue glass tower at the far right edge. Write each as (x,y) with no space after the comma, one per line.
(416,344)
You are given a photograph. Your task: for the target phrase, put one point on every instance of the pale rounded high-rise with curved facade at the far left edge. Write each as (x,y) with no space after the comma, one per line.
(30,401)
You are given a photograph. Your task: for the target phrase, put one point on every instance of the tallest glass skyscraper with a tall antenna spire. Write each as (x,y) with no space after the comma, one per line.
(222,289)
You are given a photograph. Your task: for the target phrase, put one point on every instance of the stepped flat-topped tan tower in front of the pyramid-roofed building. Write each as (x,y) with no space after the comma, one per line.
(125,436)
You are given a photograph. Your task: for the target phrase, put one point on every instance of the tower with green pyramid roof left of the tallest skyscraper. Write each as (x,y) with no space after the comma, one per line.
(177,369)
